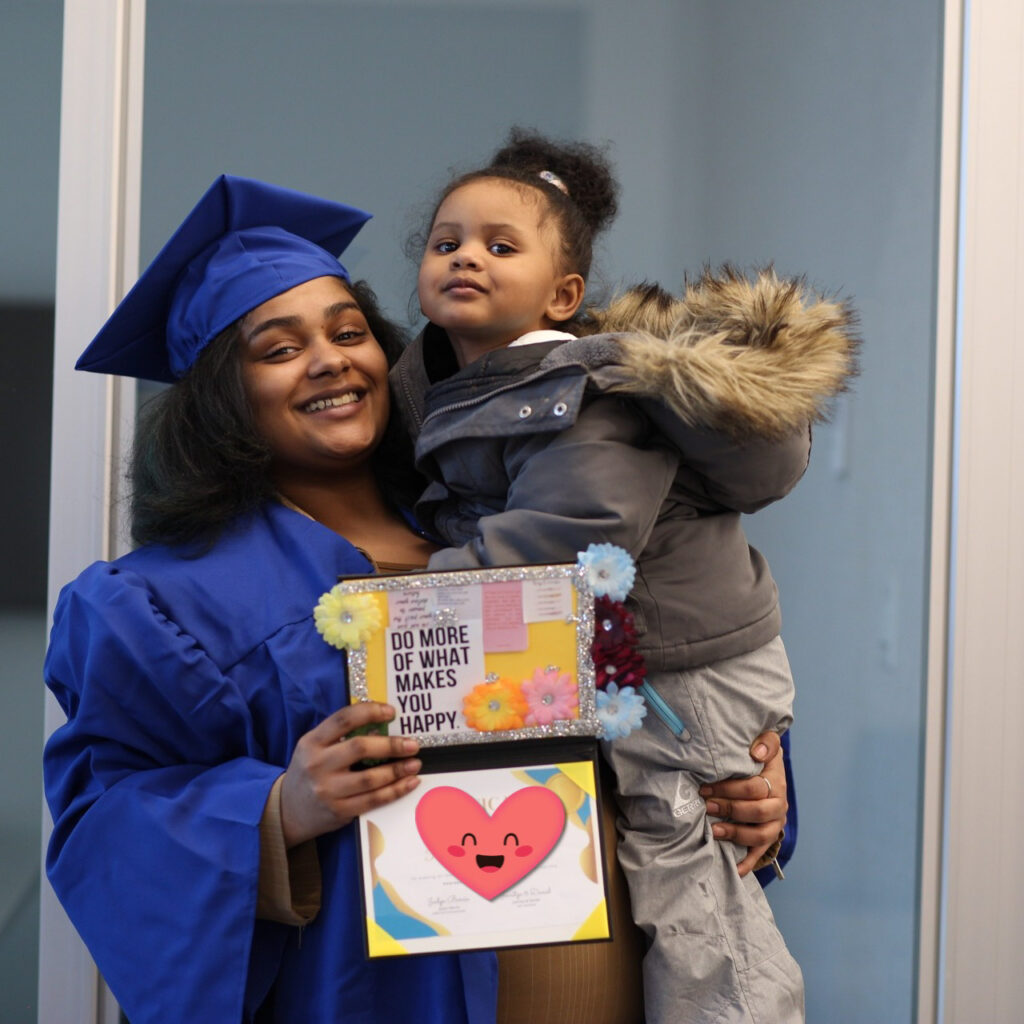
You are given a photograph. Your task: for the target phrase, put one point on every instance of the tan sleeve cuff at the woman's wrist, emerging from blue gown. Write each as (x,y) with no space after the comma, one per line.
(289,880)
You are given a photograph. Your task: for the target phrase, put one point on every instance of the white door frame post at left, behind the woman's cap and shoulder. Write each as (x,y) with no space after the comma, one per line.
(98,257)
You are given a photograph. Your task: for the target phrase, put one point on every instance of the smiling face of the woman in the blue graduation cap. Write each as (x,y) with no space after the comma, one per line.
(317,379)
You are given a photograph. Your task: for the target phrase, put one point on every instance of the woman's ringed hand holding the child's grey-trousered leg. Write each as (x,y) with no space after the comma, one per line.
(754,814)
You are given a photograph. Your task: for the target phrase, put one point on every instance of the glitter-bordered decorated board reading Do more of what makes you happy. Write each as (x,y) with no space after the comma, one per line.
(477,657)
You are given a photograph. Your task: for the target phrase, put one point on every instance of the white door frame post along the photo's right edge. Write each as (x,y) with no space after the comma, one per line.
(972,925)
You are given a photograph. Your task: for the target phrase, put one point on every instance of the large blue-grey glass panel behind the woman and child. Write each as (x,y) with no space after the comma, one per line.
(807,136)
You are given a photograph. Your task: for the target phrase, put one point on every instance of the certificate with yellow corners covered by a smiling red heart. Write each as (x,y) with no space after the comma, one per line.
(488,858)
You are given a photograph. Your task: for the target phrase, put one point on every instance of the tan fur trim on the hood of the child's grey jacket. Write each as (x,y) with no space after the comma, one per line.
(752,358)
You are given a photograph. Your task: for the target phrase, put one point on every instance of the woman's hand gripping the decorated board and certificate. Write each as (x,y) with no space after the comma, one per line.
(321,792)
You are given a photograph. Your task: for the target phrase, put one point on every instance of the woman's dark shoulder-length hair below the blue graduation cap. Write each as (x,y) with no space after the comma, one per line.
(198,461)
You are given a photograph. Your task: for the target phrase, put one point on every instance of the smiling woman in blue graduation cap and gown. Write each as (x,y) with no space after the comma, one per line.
(210,883)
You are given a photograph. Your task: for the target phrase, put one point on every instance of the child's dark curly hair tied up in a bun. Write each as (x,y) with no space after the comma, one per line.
(582,212)
